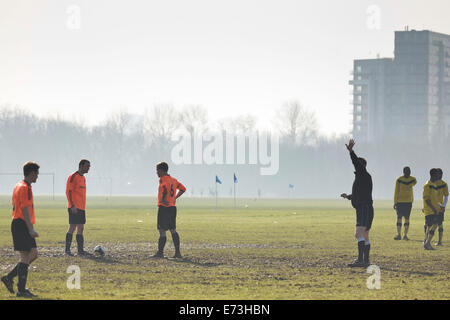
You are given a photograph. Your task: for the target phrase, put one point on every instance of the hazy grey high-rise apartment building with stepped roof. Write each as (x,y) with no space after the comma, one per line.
(407,97)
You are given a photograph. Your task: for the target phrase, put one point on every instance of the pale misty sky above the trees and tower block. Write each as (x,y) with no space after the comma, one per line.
(233,57)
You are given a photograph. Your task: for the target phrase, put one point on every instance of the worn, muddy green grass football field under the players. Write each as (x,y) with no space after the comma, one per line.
(273,249)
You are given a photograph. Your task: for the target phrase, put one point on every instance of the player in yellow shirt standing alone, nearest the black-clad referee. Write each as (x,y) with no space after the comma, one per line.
(403,200)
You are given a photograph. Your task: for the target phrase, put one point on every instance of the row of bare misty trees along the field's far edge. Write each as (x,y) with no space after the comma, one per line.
(124,149)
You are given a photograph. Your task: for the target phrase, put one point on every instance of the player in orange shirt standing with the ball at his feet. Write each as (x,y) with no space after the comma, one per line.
(76,203)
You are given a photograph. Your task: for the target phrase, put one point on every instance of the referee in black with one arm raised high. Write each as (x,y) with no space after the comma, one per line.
(361,199)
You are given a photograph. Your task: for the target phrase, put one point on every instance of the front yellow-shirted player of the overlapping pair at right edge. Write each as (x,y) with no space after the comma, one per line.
(432,206)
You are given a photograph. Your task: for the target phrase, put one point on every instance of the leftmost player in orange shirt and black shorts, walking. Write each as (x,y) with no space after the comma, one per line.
(22,230)
